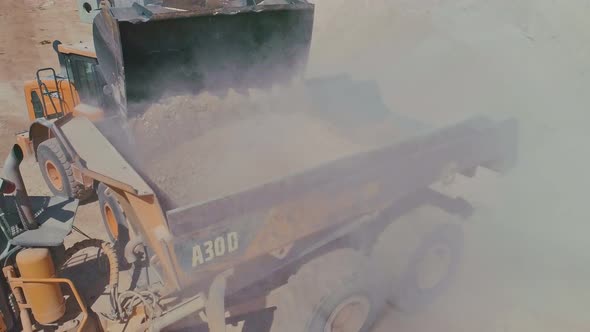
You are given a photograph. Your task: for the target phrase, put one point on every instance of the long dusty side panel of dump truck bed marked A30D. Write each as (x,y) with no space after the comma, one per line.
(338,193)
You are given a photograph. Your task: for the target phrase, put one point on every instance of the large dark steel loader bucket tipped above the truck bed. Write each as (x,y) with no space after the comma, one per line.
(145,52)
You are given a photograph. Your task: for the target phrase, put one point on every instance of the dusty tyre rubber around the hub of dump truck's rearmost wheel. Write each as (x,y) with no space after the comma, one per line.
(399,247)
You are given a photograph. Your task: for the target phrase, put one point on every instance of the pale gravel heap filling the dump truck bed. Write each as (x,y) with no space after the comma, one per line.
(198,148)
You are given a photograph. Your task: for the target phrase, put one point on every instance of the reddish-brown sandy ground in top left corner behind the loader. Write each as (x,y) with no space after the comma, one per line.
(26,28)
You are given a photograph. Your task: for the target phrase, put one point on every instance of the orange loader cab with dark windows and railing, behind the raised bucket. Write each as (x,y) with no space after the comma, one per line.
(55,93)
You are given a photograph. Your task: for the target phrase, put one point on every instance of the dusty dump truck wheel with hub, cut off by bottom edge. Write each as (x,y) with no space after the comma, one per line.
(323,294)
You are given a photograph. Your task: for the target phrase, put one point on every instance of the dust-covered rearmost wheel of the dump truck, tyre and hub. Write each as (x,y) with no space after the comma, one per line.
(418,256)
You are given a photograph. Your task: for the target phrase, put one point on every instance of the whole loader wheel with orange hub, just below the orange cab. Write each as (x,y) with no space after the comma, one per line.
(57,171)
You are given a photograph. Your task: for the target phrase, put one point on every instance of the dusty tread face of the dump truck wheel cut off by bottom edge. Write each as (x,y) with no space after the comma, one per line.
(317,283)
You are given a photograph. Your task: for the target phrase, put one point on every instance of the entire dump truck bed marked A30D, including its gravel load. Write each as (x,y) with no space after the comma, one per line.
(327,168)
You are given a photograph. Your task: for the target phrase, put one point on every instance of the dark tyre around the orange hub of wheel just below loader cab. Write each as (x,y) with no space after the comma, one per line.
(51,150)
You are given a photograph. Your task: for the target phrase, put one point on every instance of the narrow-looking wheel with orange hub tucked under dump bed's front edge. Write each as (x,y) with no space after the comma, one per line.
(113,217)
